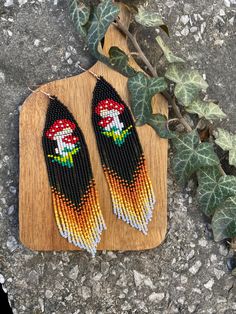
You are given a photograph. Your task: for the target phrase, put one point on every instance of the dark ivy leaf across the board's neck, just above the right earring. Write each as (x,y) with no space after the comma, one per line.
(119,60)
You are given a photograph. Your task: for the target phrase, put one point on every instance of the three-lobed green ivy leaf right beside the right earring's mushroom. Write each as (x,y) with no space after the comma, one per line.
(142,89)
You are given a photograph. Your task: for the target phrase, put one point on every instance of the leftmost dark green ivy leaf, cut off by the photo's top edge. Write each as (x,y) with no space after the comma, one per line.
(80,15)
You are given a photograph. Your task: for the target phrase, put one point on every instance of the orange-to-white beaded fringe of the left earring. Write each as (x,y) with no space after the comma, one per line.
(81,225)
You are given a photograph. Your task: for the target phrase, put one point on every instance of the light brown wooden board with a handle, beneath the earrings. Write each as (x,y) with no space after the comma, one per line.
(38,230)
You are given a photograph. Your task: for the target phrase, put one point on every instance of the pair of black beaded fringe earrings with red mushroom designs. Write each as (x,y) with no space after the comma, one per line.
(74,195)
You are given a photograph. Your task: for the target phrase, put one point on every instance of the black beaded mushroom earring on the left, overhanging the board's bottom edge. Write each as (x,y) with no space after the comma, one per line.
(75,201)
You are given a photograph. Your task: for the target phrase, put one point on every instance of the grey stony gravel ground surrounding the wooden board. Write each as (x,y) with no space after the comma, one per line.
(187,274)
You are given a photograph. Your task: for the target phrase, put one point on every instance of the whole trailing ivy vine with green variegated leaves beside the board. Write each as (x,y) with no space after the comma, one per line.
(195,155)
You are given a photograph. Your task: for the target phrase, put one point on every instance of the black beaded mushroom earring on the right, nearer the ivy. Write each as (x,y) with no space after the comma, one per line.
(122,157)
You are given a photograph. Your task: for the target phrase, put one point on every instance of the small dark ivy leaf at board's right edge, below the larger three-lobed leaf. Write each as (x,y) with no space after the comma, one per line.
(159,123)
